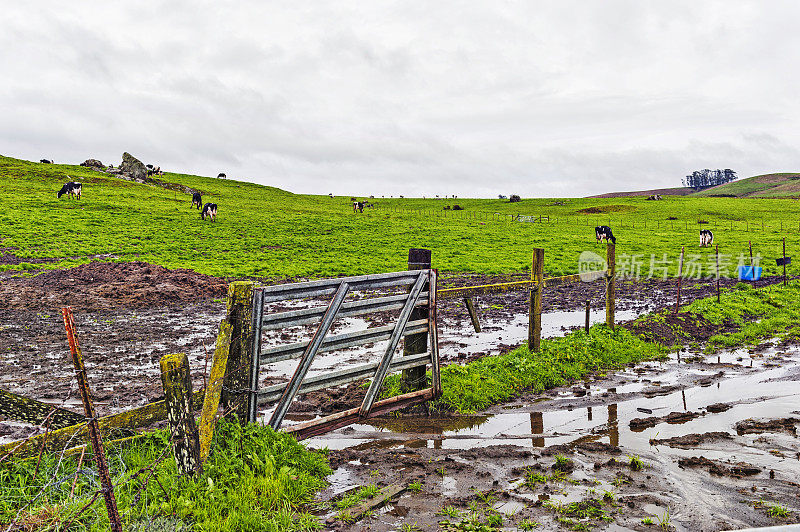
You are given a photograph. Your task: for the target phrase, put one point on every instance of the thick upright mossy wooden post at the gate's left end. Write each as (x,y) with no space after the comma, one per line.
(236,386)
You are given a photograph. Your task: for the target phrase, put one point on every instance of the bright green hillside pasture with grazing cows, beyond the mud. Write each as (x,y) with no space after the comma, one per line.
(267,232)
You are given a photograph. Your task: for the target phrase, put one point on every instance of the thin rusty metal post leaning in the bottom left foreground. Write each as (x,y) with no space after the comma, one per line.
(94,430)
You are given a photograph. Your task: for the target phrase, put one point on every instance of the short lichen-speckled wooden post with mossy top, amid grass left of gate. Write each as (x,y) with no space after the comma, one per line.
(178,394)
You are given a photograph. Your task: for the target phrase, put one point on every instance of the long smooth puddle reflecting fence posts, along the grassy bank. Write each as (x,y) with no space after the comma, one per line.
(754,394)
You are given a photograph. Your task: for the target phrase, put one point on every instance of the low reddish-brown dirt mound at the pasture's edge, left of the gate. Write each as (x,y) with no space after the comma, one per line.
(107,285)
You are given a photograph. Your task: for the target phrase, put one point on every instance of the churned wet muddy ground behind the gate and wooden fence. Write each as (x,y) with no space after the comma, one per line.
(128,315)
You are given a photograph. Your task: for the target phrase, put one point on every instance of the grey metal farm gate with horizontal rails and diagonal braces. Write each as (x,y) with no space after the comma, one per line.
(421,286)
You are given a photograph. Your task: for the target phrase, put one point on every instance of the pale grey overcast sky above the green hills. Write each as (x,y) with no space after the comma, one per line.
(555,98)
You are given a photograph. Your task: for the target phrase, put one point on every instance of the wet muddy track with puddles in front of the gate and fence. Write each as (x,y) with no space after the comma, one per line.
(700,400)
